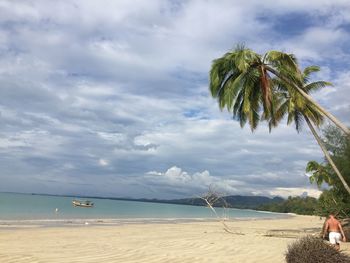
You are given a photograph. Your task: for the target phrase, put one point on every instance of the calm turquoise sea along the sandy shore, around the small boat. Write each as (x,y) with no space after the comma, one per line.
(38,209)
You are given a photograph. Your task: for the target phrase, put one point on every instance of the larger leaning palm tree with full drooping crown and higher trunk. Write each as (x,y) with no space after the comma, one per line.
(241,82)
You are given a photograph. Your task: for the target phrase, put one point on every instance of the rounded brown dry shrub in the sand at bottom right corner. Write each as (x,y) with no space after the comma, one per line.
(314,250)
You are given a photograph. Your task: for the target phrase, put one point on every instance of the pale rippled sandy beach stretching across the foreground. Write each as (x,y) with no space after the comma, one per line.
(251,241)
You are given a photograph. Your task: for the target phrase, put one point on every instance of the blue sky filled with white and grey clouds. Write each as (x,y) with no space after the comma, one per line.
(111,98)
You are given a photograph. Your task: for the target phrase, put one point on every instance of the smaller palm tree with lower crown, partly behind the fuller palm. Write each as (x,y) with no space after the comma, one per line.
(298,110)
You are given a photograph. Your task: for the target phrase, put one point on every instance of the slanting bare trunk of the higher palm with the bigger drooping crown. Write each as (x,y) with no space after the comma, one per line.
(310,99)
